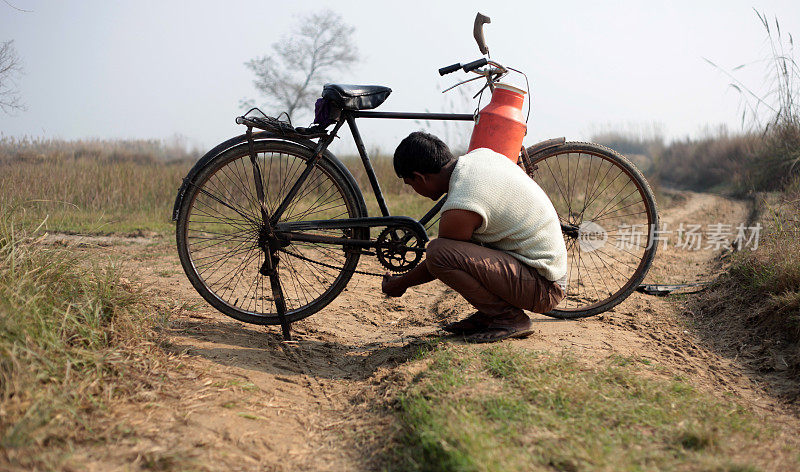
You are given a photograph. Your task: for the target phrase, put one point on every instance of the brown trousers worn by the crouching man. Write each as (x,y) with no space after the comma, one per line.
(495,283)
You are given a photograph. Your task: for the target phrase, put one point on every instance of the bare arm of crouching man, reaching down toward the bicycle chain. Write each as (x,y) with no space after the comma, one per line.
(455,224)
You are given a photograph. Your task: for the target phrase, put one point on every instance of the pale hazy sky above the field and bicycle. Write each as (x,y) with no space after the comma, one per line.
(153,69)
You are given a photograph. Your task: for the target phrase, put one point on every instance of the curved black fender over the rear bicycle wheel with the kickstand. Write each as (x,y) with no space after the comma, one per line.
(264,136)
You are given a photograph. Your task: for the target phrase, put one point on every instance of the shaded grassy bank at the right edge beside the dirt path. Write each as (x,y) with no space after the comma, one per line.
(756,299)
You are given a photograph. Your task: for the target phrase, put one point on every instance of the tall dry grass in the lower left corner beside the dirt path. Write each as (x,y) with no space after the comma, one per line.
(75,337)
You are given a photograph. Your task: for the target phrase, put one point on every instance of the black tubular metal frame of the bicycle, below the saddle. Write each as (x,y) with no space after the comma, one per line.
(349,117)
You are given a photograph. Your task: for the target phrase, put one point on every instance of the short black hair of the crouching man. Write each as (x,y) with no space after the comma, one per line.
(420,152)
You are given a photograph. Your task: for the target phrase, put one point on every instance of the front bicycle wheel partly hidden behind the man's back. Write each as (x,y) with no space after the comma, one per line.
(565,173)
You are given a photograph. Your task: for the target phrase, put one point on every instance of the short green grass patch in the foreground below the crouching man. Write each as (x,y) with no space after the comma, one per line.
(519,410)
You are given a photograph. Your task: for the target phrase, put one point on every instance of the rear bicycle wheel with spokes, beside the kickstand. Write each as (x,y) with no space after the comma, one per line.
(219,223)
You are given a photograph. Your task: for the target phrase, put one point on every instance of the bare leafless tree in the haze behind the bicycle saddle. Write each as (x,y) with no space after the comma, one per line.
(291,77)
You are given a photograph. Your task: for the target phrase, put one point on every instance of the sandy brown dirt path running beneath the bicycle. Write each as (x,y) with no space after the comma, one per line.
(246,401)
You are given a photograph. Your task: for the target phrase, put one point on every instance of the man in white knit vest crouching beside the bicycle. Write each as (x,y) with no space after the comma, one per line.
(500,244)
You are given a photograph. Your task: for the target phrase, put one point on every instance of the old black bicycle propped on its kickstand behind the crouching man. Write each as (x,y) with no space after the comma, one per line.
(271,225)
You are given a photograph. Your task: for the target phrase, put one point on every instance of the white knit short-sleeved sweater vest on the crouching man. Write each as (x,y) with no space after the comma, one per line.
(518,218)
